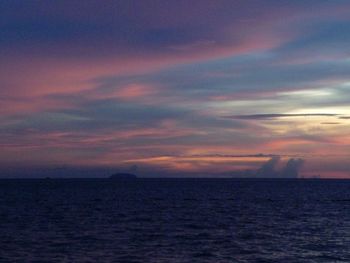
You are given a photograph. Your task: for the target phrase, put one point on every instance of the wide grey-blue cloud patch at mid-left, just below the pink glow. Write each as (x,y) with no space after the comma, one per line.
(97,115)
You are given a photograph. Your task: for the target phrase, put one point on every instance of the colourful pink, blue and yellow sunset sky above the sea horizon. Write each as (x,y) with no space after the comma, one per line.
(236,88)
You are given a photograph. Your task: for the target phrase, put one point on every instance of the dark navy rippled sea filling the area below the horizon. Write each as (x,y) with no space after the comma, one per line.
(174,220)
